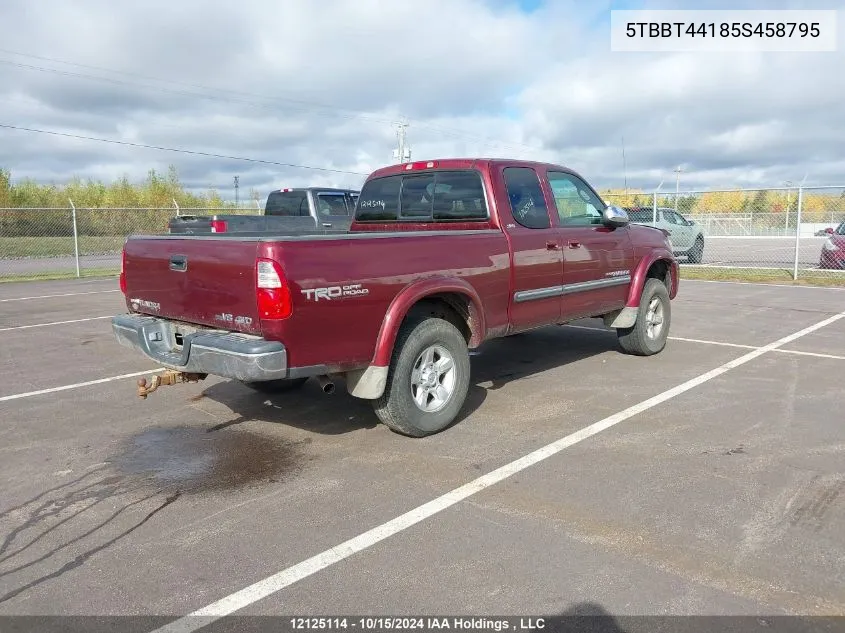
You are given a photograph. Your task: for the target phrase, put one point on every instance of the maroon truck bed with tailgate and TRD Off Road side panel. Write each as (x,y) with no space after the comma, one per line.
(340,293)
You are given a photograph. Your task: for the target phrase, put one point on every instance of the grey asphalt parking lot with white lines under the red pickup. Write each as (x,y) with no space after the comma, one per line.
(709,479)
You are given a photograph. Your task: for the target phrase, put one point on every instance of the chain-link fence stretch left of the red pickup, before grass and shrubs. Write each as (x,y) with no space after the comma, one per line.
(51,243)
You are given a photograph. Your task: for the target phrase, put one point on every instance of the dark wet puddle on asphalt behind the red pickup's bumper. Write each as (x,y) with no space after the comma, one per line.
(195,460)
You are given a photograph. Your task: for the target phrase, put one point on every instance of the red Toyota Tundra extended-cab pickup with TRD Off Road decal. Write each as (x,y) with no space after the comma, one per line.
(440,257)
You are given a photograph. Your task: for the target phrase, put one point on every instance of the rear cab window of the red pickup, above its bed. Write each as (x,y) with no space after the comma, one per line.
(438,196)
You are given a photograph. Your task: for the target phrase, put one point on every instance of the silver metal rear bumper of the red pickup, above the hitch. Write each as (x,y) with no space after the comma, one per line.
(218,353)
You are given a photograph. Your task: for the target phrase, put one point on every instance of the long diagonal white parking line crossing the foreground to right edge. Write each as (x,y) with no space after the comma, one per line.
(291,575)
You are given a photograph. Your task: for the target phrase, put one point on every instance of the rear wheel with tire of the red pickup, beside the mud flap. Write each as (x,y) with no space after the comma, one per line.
(396,408)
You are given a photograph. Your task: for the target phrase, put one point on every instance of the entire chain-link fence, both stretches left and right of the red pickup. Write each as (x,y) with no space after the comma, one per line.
(786,229)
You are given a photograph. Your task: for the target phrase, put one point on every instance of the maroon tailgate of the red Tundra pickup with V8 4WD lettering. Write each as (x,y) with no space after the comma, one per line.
(194,279)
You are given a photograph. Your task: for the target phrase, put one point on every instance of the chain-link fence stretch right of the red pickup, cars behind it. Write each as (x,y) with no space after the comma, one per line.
(796,230)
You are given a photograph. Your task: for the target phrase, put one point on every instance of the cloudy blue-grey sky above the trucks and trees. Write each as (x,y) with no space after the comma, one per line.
(321,83)
